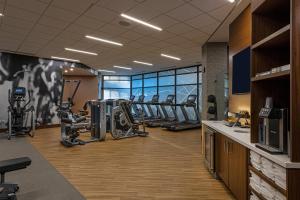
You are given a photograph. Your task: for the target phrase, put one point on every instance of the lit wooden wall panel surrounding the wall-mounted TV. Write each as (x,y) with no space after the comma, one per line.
(239,39)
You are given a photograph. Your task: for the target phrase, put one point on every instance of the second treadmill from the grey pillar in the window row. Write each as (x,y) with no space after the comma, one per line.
(164,116)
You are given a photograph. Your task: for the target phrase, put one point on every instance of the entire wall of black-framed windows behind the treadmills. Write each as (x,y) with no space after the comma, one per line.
(180,82)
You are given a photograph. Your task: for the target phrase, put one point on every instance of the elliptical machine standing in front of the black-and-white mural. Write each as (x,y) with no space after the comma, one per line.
(18,113)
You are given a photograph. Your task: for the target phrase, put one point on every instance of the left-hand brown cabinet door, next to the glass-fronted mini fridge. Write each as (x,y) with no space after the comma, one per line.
(221,157)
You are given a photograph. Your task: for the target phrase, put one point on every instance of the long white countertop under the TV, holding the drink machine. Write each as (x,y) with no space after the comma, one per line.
(244,139)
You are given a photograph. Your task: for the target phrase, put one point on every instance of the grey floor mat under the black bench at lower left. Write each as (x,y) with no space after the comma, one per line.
(40,181)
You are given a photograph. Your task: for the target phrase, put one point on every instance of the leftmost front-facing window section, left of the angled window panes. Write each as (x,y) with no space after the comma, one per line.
(116,87)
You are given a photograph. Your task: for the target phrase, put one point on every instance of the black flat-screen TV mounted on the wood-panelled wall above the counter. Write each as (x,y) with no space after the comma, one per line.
(241,72)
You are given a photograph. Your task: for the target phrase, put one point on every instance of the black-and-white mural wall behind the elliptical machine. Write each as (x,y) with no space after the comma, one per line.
(42,77)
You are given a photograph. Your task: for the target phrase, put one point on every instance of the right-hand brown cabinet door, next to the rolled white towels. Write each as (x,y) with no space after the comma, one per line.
(237,169)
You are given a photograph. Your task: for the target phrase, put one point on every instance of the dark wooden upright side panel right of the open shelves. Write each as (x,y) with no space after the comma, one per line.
(295,83)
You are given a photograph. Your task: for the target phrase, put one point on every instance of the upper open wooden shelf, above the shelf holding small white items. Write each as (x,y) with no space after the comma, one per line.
(277,39)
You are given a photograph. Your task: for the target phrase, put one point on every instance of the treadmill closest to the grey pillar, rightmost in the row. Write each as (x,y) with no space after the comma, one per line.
(187,123)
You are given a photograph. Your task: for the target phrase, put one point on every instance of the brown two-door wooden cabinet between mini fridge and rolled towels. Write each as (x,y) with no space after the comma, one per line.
(231,165)
